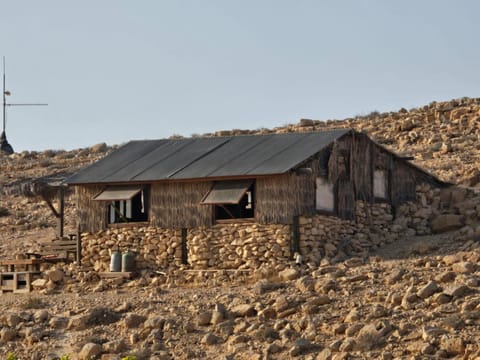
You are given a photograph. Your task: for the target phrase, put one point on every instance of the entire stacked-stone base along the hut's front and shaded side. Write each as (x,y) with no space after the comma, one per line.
(322,237)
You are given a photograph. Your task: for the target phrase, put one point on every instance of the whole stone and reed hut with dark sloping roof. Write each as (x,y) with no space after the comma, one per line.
(242,201)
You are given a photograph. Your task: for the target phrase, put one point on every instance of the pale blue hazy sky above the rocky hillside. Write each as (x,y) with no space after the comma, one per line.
(112,71)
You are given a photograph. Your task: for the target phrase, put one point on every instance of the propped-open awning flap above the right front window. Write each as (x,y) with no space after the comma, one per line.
(227,192)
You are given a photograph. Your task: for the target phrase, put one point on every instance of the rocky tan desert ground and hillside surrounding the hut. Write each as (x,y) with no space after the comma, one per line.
(417,298)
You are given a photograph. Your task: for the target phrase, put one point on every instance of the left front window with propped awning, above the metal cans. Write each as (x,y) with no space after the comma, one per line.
(125,203)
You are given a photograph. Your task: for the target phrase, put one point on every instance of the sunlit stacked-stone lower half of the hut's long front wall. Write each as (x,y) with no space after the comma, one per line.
(228,246)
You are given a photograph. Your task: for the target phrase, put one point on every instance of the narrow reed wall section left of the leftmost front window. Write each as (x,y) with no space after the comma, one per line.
(91,214)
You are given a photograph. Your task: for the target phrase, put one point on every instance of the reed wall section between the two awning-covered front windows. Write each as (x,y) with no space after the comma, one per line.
(177,205)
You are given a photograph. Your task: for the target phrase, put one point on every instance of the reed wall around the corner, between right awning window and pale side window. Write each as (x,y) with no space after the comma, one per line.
(280,198)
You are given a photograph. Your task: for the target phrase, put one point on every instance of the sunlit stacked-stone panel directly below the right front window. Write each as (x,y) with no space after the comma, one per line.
(238,246)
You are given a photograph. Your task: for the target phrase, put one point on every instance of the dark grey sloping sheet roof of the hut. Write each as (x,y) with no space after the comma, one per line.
(195,158)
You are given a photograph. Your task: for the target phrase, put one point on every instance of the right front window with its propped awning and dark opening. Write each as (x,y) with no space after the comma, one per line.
(232,199)
